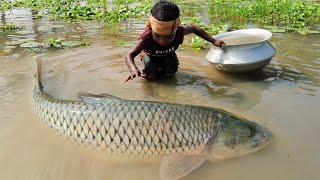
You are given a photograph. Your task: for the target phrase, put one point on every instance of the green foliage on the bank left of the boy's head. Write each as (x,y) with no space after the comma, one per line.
(91,10)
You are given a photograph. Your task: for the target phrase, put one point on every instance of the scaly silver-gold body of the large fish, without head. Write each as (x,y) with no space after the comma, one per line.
(126,126)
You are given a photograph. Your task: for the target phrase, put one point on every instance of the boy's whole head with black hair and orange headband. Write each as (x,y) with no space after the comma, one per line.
(164,21)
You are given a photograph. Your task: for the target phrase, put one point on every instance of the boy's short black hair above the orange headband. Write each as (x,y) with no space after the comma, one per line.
(165,11)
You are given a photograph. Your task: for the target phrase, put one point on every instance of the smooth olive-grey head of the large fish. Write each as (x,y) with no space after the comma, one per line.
(237,137)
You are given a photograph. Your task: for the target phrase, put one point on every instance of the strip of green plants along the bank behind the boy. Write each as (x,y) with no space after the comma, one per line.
(216,16)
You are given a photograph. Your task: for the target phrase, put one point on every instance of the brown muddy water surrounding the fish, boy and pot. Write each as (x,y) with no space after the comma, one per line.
(284,97)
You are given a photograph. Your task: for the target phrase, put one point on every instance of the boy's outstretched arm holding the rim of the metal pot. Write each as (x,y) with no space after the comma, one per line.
(203,34)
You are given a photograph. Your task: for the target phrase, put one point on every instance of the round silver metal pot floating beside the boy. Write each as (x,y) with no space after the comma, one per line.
(245,50)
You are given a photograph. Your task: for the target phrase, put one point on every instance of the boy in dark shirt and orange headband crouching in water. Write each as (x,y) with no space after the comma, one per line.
(158,42)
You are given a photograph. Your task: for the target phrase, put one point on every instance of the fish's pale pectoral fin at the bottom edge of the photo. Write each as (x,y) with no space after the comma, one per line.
(179,165)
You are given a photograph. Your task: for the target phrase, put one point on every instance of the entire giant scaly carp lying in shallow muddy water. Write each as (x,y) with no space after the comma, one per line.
(184,135)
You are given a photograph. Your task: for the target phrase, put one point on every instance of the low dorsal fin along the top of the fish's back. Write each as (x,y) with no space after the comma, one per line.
(96,98)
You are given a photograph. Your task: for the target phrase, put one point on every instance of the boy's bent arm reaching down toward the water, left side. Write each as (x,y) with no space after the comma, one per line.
(130,60)
